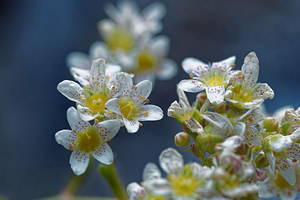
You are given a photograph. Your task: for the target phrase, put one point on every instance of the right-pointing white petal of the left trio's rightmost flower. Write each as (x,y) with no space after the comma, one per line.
(150,113)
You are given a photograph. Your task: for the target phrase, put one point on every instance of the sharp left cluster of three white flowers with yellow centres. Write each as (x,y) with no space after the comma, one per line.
(107,96)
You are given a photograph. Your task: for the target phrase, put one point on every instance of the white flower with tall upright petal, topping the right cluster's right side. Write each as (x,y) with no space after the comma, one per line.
(245,93)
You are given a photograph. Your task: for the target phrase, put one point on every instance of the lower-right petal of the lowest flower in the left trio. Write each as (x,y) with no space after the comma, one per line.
(104,154)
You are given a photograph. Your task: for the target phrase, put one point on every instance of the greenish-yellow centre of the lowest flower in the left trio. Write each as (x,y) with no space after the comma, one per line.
(88,140)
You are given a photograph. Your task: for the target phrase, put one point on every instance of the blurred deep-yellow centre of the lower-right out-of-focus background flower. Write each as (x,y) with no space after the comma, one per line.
(145,61)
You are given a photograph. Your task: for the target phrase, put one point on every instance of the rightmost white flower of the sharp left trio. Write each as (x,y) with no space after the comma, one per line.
(130,104)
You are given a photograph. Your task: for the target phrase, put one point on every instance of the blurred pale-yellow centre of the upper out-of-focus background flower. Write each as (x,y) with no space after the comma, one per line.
(120,40)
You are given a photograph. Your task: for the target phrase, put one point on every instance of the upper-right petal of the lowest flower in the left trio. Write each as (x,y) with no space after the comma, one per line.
(109,128)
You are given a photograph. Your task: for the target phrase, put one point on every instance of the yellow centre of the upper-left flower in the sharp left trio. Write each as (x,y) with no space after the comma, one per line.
(96,103)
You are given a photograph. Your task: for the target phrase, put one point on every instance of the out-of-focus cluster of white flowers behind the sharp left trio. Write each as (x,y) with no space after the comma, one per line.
(129,40)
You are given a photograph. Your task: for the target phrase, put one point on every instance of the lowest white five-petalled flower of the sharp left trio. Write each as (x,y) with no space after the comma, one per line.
(85,140)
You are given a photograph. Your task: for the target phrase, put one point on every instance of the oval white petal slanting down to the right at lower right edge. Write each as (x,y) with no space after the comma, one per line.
(286,170)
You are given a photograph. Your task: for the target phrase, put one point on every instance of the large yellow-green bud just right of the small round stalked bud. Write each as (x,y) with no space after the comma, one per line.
(208,142)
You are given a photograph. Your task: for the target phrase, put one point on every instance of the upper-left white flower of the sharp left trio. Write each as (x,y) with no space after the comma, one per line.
(101,86)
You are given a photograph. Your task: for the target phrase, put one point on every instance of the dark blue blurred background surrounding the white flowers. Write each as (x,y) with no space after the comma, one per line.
(36,36)
